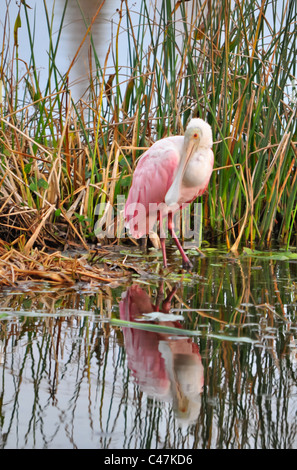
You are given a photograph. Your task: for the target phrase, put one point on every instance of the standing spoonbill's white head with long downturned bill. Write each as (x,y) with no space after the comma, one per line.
(198,135)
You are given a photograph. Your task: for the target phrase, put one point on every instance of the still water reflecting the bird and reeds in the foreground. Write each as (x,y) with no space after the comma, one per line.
(90,369)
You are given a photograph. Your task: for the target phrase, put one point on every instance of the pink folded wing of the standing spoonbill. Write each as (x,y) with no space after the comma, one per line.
(152,179)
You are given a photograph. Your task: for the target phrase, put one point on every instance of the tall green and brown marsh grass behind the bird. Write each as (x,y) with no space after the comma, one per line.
(231,63)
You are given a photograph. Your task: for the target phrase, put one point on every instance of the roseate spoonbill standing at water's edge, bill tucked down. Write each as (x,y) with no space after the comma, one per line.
(171,173)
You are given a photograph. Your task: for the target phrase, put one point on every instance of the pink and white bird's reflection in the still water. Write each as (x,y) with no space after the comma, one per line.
(166,367)
